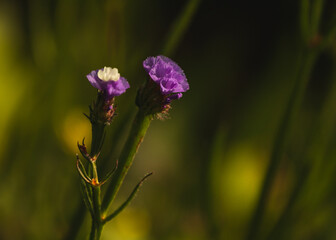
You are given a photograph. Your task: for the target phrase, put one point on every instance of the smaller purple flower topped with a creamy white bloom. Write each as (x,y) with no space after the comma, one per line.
(109,81)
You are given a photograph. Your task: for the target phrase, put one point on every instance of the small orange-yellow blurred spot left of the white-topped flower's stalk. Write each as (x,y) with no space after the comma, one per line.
(73,129)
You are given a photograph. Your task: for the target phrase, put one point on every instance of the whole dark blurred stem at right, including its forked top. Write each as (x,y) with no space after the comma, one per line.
(310,20)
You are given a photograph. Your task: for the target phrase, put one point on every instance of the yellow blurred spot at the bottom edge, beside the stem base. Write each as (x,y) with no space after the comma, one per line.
(131,224)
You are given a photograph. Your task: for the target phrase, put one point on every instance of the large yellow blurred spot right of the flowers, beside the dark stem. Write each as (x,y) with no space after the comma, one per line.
(237,181)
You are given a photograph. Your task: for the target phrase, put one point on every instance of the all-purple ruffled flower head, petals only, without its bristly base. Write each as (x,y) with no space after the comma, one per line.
(168,75)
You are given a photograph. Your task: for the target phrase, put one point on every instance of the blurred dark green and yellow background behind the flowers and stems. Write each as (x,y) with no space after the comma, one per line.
(209,159)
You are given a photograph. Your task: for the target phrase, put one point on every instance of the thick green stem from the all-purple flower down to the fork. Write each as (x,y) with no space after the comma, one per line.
(138,131)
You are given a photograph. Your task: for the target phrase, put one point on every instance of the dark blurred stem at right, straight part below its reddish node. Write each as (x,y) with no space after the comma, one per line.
(308,59)
